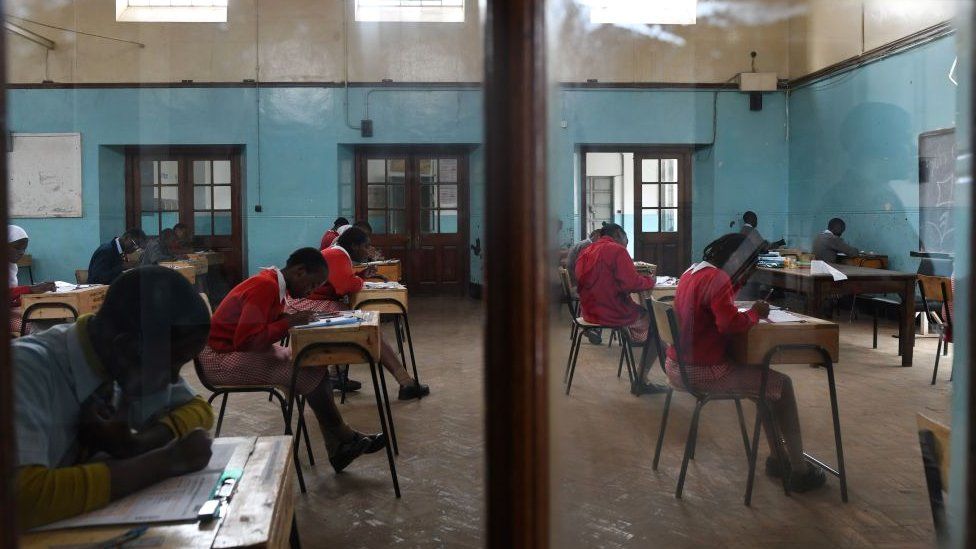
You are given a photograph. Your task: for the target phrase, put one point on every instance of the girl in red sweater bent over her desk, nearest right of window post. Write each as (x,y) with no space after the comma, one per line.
(707,315)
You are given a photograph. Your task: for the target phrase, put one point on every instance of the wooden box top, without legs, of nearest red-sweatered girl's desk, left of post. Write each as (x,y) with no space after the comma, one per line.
(366,334)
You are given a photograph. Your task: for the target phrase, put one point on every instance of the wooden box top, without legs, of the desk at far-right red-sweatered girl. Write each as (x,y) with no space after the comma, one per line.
(751,347)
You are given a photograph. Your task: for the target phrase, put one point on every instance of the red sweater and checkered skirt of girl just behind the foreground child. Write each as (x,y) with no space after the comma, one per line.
(245,330)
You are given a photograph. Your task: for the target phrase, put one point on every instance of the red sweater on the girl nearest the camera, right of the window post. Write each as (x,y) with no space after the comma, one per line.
(707,315)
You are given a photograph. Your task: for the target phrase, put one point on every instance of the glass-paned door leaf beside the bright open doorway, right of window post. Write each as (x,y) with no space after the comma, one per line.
(662,196)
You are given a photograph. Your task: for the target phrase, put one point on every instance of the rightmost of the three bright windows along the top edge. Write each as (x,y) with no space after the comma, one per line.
(643,12)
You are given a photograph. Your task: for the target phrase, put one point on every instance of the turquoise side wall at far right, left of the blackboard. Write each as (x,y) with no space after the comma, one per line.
(853,149)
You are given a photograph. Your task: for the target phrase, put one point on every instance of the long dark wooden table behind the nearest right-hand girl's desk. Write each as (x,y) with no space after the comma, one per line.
(860,280)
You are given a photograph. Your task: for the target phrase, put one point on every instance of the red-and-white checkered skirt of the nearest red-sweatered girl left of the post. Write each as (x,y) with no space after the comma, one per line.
(258,369)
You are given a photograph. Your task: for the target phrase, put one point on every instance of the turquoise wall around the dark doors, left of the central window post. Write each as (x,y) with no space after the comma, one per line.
(293,164)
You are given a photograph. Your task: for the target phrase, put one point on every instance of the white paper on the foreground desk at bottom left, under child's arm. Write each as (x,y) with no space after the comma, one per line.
(174,500)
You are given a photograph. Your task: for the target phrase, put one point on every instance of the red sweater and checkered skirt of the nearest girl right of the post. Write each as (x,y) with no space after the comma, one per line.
(707,317)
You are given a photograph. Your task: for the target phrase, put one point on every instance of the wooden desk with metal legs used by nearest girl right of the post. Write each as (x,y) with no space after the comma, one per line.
(810,336)
